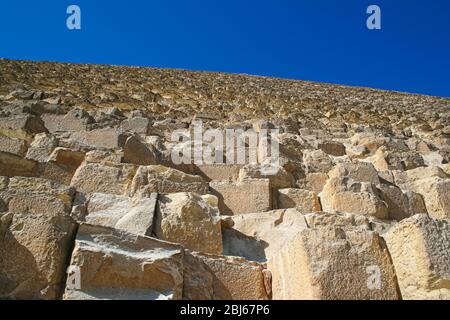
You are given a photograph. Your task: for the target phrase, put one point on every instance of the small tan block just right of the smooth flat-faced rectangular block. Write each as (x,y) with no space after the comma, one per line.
(304,201)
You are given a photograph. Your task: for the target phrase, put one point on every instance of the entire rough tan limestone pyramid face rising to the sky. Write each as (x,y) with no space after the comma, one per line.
(375,157)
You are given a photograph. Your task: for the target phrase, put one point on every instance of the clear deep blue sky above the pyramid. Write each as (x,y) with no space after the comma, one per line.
(320,40)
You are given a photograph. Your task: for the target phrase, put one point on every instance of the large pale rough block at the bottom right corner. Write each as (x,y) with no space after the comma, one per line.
(420,250)
